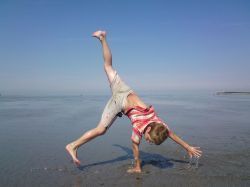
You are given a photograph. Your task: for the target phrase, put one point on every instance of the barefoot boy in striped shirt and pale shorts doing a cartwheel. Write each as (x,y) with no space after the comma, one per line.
(125,100)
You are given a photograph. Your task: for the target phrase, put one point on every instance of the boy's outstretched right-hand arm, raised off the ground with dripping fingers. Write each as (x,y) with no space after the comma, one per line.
(192,151)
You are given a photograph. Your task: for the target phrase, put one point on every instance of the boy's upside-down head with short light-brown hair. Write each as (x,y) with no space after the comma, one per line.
(158,133)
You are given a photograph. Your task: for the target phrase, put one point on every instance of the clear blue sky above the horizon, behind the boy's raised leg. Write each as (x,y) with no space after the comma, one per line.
(158,45)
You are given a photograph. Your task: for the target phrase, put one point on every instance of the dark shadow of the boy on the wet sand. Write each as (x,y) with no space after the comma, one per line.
(156,160)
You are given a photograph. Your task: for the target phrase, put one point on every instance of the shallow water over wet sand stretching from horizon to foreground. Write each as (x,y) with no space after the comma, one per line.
(35,130)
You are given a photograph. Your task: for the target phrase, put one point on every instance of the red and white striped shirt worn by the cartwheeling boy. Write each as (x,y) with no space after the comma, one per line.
(140,118)
